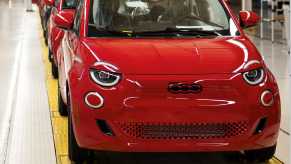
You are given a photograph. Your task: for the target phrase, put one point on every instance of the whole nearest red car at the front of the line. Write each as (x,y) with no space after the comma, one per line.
(165,76)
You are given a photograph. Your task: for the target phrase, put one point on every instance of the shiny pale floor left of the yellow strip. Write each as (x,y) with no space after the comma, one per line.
(25,126)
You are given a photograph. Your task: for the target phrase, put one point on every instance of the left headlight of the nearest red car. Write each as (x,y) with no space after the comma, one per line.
(104,78)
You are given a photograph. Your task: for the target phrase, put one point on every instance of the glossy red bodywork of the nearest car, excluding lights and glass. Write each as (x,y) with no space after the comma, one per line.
(141,97)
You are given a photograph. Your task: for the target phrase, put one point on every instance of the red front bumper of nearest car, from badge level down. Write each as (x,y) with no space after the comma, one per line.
(133,127)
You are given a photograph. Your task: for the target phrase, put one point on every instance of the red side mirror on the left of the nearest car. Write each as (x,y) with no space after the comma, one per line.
(65,18)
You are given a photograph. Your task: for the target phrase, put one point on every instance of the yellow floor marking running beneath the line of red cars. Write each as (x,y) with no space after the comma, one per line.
(60,124)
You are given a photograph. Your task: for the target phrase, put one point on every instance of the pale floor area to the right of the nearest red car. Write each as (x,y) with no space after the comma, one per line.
(279,61)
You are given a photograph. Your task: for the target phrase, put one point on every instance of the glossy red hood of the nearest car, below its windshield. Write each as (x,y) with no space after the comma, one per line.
(173,56)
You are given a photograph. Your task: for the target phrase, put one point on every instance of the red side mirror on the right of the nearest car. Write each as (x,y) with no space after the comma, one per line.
(248,19)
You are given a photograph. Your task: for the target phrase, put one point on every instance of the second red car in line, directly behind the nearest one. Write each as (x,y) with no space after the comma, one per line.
(54,33)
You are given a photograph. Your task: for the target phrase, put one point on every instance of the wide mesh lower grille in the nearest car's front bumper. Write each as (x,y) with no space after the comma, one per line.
(141,130)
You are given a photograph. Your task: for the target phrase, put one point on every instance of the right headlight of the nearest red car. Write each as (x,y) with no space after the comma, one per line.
(254,77)
